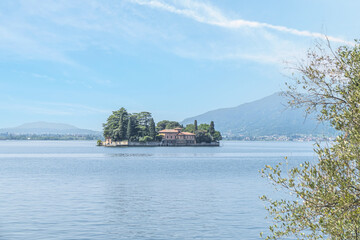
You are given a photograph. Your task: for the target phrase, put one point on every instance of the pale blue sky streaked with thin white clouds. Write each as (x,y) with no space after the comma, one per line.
(76,61)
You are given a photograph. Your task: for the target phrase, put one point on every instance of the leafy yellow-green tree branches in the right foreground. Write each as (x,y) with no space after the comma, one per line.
(327,192)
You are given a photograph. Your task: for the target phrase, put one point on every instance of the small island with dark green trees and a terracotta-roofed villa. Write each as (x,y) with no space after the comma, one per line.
(139,129)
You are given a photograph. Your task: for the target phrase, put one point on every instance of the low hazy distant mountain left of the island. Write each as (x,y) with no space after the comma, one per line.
(48,128)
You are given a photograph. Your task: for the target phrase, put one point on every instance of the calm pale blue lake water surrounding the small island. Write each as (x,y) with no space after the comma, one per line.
(75,190)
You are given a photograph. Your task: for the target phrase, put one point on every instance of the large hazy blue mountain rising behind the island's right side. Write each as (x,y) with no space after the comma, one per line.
(265,117)
